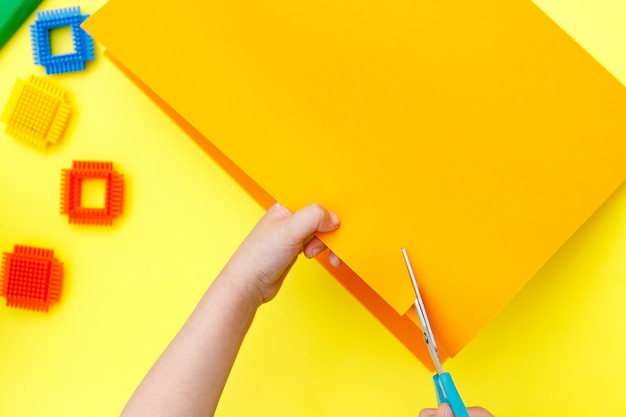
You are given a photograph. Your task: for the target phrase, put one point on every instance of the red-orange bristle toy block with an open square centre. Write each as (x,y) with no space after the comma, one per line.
(71,192)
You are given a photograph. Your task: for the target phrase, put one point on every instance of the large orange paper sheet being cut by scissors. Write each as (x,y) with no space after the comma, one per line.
(478,135)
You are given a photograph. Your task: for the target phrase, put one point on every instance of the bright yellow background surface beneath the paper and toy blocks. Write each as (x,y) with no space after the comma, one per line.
(314,351)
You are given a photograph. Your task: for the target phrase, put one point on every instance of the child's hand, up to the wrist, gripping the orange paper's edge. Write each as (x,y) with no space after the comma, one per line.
(266,255)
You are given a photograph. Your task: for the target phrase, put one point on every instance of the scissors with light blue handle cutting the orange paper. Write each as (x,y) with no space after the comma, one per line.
(444,386)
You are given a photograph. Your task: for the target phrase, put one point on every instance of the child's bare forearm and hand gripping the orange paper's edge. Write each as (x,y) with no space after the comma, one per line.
(196,364)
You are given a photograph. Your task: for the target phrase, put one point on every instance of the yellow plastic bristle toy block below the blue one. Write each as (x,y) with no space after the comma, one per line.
(37,112)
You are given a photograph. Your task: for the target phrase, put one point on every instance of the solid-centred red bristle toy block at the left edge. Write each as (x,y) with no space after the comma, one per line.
(31,278)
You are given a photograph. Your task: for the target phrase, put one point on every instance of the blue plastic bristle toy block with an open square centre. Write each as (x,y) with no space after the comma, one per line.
(40,38)
